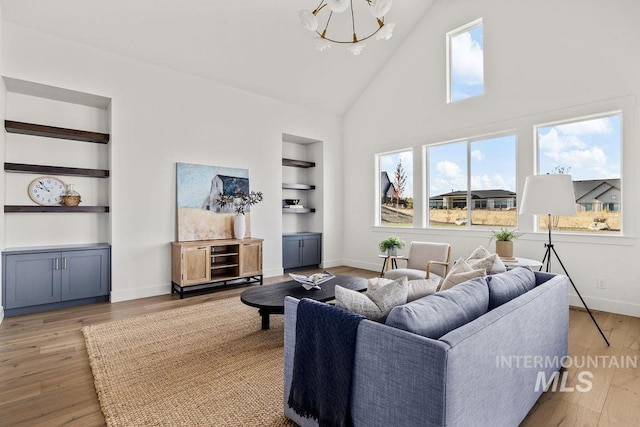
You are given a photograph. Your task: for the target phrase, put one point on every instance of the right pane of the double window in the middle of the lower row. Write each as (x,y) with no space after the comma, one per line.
(493,182)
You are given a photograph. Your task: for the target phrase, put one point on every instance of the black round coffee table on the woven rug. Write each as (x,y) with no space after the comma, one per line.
(269,299)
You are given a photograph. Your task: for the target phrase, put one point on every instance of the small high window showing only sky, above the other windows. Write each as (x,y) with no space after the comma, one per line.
(465,62)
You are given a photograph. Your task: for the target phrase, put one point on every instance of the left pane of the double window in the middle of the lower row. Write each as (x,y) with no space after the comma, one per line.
(448,185)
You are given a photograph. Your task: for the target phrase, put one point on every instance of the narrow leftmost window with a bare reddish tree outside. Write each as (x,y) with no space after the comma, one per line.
(396,187)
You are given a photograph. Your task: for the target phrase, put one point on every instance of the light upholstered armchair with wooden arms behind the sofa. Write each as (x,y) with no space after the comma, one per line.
(426,260)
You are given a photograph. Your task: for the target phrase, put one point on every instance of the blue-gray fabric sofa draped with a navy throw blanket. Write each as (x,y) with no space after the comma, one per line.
(483,373)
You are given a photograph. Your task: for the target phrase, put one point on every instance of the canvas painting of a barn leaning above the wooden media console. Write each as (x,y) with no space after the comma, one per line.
(199,187)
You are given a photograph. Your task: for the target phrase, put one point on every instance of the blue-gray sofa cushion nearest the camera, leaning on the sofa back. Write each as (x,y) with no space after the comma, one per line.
(435,315)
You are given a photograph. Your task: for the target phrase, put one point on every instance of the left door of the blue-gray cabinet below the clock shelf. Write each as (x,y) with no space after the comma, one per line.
(32,279)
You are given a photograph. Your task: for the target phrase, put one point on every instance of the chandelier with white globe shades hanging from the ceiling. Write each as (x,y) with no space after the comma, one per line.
(371,24)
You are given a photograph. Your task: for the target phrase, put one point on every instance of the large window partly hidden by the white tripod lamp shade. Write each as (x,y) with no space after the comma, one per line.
(588,150)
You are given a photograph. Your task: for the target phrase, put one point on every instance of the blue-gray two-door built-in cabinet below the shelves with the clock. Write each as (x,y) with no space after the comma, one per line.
(47,278)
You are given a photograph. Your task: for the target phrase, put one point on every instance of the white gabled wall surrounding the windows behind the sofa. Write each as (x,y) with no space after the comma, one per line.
(544,60)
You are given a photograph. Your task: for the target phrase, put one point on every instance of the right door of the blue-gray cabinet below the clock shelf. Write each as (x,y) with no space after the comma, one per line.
(85,274)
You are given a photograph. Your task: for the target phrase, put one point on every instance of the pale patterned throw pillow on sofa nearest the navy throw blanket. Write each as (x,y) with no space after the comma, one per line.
(374,305)
